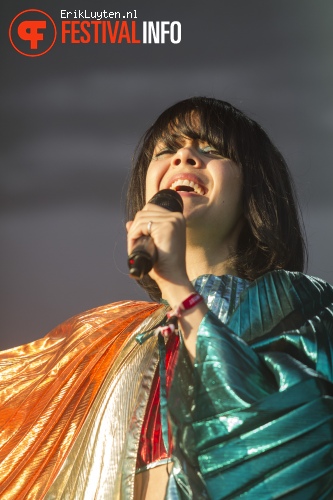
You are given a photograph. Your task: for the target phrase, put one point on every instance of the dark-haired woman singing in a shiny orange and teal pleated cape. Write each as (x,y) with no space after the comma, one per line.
(237,402)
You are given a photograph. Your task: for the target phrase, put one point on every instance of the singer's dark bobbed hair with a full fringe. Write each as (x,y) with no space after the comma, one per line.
(272,236)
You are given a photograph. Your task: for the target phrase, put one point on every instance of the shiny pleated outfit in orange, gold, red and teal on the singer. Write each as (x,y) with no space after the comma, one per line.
(251,419)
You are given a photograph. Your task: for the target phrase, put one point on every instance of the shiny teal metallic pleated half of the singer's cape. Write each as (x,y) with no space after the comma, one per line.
(253,418)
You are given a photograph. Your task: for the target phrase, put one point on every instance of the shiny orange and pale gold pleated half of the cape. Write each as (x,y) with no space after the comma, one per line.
(72,406)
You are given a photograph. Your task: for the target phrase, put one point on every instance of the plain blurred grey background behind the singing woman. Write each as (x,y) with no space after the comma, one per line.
(71,120)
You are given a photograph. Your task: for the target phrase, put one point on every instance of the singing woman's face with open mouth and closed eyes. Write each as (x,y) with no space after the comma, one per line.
(209,184)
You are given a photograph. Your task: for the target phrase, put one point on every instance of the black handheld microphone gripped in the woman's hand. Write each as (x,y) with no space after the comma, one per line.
(144,255)
